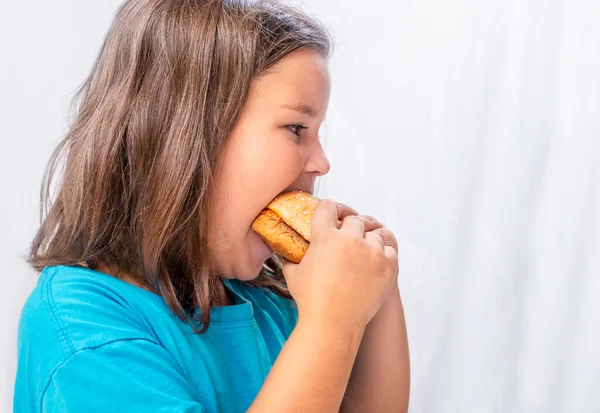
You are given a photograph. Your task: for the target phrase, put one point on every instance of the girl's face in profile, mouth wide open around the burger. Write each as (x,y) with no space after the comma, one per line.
(274,147)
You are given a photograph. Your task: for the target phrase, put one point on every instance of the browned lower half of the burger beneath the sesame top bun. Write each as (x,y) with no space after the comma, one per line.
(280,237)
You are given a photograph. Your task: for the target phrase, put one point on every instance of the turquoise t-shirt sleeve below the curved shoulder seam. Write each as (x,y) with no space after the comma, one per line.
(122,376)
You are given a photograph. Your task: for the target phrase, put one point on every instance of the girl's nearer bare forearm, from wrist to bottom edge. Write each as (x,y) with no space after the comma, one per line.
(311,372)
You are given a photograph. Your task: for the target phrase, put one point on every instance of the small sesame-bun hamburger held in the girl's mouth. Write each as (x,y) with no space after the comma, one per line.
(285,224)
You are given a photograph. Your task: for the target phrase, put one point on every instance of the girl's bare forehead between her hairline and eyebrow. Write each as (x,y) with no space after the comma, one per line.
(301,79)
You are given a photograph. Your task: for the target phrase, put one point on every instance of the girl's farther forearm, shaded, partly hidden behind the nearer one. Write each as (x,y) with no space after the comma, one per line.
(380,379)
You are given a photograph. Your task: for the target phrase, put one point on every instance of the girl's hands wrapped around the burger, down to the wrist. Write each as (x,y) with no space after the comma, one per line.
(348,269)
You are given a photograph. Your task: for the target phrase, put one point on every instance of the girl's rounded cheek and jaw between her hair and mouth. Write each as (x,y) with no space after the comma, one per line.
(252,172)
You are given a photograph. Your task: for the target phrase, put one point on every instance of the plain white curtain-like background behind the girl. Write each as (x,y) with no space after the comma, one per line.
(470,127)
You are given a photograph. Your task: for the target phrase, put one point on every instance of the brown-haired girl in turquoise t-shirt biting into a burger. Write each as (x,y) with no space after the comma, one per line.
(155,294)
